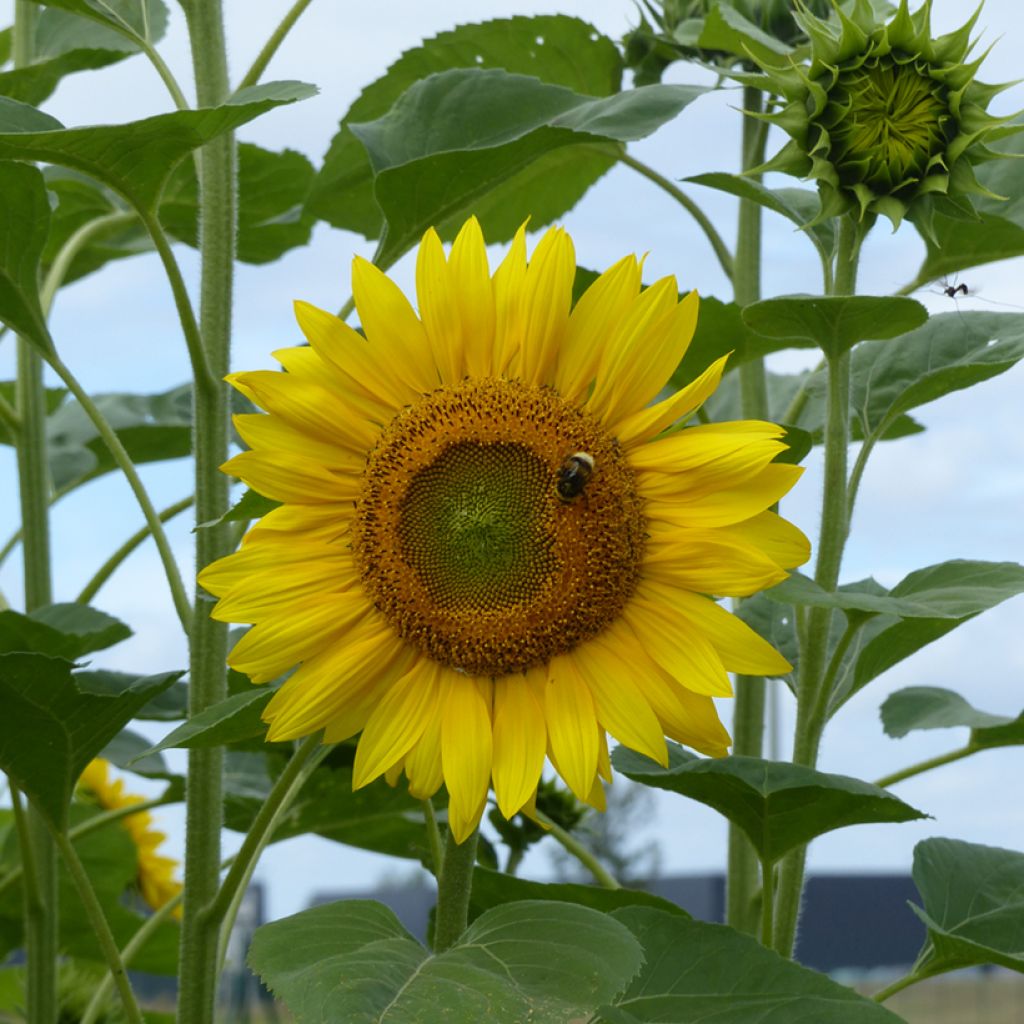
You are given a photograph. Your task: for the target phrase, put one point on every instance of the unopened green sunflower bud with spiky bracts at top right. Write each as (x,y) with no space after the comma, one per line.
(885,118)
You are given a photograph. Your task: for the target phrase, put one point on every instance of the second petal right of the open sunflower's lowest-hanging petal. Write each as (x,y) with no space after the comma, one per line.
(572,724)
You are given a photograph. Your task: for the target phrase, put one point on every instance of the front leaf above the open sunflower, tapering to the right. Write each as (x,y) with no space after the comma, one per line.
(459,135)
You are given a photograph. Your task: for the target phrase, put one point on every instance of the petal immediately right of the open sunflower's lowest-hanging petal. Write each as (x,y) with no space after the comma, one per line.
(521,742)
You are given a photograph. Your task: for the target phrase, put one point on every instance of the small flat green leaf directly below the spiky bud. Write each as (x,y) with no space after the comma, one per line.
(834,324)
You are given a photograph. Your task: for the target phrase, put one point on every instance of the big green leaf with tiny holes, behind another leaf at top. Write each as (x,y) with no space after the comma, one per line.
(554,49)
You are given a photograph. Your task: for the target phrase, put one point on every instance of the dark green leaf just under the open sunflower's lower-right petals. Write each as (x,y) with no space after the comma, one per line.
(779,805)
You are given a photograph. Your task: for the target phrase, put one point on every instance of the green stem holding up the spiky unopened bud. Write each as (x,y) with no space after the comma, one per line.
(815,636)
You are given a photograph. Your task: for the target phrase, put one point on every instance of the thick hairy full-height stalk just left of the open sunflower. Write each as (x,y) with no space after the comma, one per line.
(198,973)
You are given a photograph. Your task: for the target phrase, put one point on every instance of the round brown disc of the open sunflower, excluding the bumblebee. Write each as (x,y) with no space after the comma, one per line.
(464,543)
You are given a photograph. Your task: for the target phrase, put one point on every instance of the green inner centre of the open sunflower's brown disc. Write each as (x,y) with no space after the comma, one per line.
(473,526)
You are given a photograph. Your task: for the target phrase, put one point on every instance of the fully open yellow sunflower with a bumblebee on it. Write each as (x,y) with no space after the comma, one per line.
(493,546)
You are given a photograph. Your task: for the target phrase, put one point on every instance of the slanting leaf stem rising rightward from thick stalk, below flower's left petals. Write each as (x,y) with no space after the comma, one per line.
(301,766)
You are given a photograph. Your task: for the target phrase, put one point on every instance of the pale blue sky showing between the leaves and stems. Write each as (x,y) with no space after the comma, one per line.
(956,491)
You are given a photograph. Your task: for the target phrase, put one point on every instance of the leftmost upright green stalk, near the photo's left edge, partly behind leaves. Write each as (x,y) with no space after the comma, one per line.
(41,913)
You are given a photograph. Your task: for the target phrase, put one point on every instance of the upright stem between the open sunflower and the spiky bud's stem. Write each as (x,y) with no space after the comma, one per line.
(749,711)
